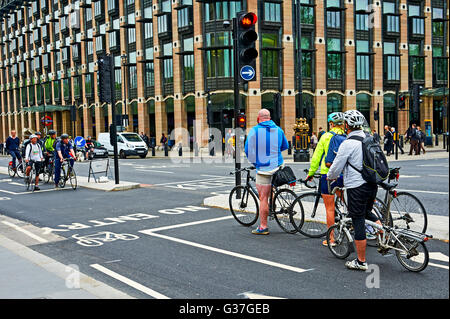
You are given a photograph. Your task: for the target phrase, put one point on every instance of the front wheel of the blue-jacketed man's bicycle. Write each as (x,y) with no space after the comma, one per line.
(245,208)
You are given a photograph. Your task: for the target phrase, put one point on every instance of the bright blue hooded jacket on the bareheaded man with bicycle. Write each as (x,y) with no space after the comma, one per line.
(264,145)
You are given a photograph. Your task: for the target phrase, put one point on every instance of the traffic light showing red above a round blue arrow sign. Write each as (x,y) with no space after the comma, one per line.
(246,48)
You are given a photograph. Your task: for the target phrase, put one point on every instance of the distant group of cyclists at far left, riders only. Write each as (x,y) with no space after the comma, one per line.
(40,152)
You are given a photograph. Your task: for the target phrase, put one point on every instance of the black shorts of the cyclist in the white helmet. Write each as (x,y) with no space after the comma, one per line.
(360,201)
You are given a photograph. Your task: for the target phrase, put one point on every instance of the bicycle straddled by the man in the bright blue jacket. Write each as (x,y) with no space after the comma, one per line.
(244,206)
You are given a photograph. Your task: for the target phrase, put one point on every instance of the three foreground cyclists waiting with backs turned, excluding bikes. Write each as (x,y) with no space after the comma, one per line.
(338,156)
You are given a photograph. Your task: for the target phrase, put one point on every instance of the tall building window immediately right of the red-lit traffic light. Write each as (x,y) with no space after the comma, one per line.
(270,57)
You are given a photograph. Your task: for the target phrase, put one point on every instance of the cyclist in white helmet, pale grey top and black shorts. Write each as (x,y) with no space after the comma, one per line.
(360,194)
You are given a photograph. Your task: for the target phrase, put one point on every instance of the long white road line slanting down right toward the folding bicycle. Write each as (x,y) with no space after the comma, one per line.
(227,252)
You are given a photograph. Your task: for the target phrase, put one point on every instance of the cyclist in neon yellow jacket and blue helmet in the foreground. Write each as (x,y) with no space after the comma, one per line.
(336,122)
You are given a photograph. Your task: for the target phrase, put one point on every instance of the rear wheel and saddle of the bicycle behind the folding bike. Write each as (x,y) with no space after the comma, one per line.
(402,209)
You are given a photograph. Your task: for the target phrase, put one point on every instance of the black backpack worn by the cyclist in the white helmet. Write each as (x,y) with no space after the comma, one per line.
(375,166)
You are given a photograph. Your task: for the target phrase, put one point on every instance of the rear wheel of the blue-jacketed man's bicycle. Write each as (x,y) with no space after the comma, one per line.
(284,210)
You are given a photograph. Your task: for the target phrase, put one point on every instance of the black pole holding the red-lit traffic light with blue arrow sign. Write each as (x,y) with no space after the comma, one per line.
(237,103)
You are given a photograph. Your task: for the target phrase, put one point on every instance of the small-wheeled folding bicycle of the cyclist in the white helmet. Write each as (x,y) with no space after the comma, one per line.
(409,246)
